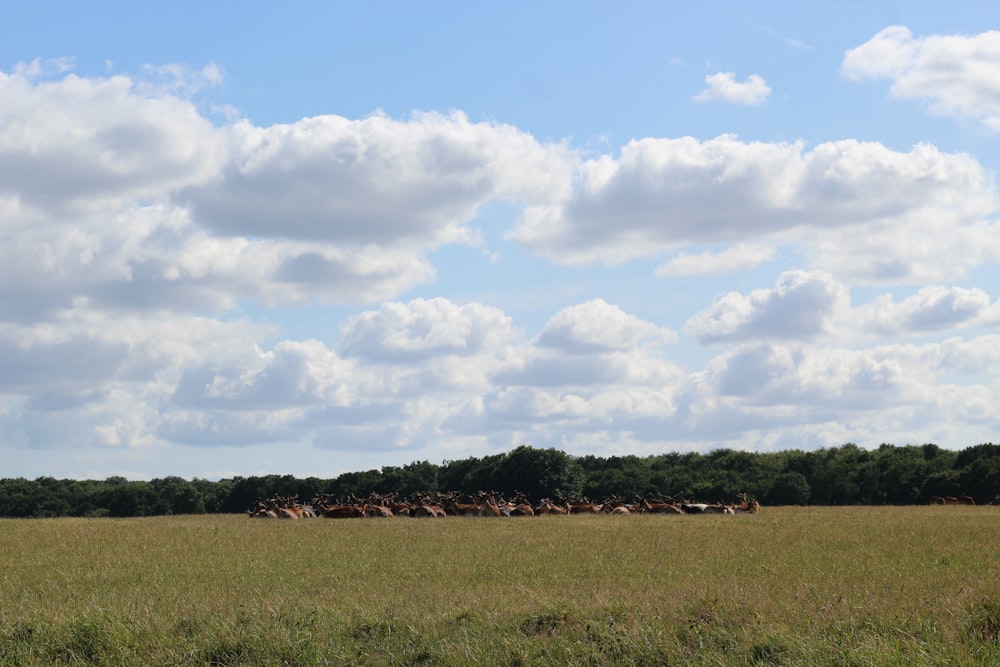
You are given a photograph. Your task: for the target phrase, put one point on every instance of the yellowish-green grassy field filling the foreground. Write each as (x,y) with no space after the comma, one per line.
(795,586)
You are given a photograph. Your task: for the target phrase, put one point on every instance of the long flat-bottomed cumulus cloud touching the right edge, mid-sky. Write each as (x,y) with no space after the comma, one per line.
(839,202)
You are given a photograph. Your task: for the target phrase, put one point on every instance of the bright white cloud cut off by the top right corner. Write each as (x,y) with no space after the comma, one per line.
(955,75)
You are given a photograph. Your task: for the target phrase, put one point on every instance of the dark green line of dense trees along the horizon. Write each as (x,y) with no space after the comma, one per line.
(845,475)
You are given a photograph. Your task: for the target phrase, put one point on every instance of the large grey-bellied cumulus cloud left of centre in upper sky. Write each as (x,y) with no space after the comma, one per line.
(375,180)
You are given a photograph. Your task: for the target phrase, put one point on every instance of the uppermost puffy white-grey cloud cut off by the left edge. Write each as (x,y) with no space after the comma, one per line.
(79,146)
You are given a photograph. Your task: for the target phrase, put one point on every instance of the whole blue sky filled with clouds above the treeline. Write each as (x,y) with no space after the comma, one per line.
(309,238)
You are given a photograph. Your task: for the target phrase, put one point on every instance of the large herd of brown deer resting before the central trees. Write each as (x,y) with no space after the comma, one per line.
(482,505)
